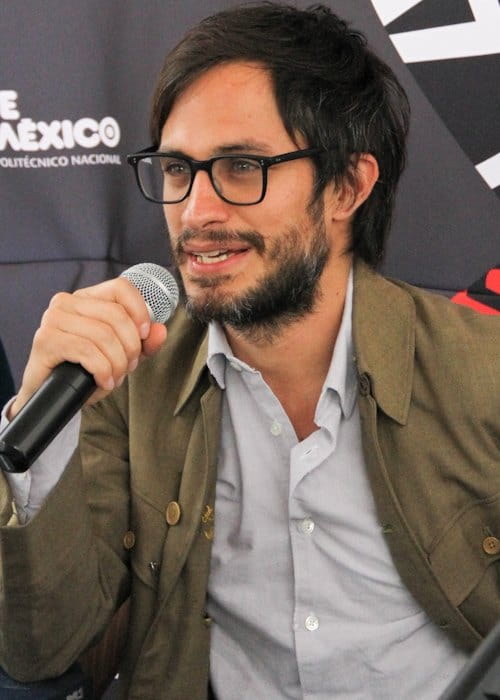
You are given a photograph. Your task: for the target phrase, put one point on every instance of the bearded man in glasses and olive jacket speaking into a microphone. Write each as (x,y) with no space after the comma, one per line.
(302,500)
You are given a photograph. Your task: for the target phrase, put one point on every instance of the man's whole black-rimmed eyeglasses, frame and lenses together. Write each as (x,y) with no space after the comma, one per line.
(167,178)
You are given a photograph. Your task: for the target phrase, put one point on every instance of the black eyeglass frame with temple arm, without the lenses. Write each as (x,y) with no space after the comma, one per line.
(196,166)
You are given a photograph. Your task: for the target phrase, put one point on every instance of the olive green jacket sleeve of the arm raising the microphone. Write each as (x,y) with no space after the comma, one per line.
(65,573)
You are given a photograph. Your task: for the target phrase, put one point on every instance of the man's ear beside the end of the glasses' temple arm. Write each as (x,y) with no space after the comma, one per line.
(356,188)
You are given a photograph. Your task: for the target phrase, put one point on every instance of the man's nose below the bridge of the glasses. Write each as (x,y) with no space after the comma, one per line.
(204,208)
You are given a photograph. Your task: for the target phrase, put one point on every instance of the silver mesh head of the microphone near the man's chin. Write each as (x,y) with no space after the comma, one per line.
(158,288)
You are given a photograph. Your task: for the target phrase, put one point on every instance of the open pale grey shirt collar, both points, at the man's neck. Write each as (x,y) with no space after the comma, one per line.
(341,376)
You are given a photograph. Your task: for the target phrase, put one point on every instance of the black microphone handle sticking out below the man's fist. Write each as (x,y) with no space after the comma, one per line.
(50,408)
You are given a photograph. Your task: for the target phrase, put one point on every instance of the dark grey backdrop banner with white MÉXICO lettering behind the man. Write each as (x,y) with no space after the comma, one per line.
(76,80)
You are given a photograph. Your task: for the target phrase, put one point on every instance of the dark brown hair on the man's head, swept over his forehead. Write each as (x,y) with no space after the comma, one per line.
(329,87)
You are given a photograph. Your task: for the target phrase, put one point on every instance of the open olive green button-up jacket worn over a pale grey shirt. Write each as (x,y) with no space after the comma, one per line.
(429,398)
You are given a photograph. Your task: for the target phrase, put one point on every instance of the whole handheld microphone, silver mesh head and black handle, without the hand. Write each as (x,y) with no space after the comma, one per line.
(69,385)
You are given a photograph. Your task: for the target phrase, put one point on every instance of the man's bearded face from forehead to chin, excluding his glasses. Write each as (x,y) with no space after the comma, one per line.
(243,265)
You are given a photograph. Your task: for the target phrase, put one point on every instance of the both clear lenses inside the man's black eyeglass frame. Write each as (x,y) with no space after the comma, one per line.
(167,178)
